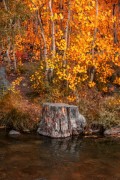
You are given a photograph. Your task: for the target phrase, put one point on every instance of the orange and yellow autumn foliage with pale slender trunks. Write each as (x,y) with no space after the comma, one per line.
(75,42)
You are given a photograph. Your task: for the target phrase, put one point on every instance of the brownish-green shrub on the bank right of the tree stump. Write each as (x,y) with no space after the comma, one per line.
(101,109)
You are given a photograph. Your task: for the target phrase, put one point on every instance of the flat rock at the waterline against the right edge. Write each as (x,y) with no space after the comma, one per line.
(114,131)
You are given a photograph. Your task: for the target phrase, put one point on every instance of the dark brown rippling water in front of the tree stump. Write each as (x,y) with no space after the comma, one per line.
(33,157)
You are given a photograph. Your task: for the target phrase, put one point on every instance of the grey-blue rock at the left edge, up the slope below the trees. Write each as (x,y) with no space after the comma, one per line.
(4,84)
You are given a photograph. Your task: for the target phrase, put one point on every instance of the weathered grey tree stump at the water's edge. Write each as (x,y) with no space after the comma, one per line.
(60,120)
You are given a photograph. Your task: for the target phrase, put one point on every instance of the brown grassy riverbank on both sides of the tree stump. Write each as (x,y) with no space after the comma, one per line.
(21,113)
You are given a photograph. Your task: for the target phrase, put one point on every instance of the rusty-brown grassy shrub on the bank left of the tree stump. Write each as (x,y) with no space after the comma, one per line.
(18,113)
